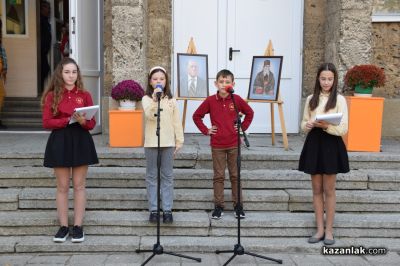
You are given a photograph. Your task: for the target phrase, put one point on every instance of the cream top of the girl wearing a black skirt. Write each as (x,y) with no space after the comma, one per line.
(341,107)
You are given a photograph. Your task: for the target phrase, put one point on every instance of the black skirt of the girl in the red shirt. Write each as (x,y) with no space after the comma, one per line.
(70,147)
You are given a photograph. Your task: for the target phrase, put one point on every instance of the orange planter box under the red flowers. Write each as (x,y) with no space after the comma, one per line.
(365,123)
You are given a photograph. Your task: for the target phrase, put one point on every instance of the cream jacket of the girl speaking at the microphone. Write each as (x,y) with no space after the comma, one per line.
(171,131)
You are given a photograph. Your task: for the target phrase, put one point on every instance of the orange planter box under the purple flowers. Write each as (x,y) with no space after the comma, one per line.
(126,128)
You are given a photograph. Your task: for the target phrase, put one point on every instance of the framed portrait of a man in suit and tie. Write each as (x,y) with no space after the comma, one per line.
(192,75)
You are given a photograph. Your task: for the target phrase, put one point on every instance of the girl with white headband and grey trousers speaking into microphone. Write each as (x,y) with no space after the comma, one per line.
(171,140)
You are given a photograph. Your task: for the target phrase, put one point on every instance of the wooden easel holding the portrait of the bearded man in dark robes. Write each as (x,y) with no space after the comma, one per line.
(269,51)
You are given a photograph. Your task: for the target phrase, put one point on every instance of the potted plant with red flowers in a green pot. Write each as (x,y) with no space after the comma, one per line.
(363,78)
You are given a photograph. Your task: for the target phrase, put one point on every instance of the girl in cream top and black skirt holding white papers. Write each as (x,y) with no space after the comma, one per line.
(324,153)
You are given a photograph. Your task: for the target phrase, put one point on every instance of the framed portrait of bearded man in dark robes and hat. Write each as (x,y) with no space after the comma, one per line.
(265,78)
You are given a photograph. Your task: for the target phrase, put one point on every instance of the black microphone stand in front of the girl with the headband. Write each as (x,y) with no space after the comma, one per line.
(157,247)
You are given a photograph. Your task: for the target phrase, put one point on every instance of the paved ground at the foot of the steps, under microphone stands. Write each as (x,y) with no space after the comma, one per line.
(390,259)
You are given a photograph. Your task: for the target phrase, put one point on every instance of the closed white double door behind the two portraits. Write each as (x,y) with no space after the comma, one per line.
(245,25)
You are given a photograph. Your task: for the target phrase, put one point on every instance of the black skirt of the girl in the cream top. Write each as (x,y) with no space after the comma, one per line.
(323,153)
